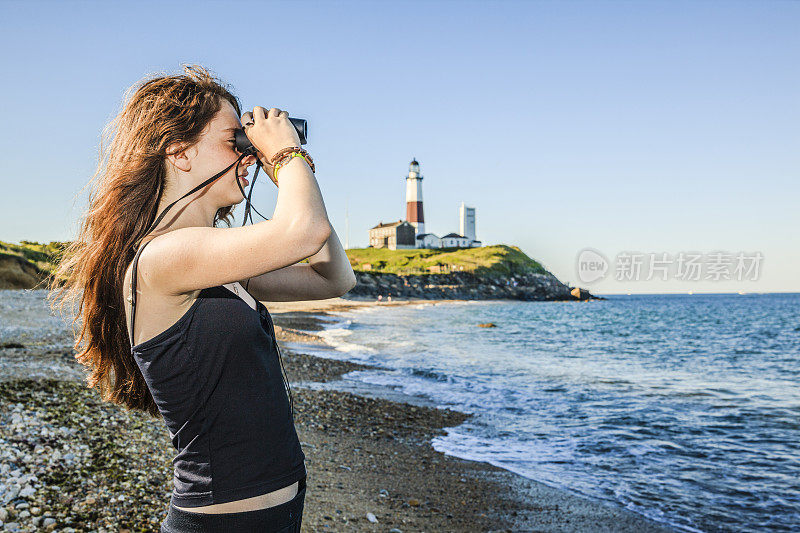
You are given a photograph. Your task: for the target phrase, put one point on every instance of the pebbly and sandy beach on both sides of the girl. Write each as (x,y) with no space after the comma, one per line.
(69,462)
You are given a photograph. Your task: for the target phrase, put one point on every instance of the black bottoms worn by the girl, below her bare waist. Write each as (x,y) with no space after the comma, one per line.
(283,518)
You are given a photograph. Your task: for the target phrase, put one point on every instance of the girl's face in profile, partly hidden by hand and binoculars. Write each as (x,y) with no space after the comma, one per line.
(215,150)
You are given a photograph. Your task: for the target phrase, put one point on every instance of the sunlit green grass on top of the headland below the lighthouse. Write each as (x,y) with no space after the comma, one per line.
(494,261)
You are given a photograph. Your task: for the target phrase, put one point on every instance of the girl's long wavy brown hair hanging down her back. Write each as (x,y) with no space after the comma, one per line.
(125,193)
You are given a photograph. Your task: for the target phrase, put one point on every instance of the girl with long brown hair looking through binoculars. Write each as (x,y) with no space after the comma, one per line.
(169,328)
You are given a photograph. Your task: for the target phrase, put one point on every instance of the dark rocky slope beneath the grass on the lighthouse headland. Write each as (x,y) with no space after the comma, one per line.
(464,286)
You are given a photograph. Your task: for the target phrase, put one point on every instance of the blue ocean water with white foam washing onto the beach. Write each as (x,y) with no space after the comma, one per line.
(685,409)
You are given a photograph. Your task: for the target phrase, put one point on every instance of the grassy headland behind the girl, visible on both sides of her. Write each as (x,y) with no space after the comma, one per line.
(481,273)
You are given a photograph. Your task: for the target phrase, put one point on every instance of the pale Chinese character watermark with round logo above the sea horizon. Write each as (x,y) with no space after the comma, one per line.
(593,266)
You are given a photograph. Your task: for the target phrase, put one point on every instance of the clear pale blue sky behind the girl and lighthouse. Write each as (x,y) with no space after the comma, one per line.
(630,126)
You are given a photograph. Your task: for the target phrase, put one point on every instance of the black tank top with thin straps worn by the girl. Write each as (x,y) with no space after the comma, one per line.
(217,381)
